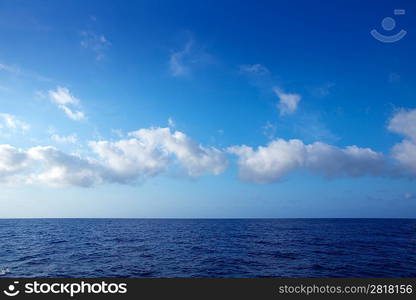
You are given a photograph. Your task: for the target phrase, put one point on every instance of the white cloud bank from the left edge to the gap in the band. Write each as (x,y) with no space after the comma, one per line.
(146,153)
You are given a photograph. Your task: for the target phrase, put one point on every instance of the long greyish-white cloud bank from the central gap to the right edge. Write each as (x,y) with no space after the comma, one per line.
(270,163)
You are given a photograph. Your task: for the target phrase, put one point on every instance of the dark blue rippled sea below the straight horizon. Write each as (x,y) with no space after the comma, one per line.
(208,248)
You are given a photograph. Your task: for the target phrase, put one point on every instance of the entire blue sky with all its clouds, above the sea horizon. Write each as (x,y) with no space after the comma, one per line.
(206,109)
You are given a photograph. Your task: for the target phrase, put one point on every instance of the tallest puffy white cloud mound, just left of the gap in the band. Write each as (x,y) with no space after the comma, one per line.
(150,151)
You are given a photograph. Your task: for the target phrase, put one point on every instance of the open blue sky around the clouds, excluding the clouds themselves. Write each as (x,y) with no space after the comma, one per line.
(350,85)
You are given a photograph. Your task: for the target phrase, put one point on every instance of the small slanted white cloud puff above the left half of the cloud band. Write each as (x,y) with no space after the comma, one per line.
(64,100)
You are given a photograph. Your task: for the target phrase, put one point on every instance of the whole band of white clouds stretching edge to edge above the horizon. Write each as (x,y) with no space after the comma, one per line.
(150,152)
